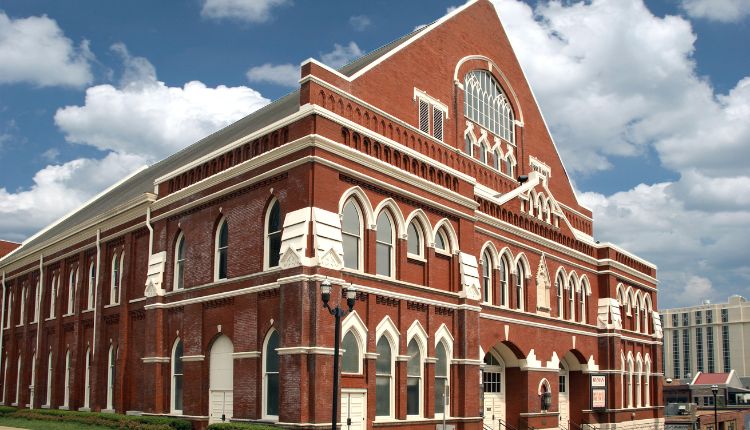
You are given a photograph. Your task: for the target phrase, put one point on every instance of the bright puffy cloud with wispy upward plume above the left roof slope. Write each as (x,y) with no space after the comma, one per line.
(145,116)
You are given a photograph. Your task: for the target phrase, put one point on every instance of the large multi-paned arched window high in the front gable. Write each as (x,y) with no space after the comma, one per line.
(486,104)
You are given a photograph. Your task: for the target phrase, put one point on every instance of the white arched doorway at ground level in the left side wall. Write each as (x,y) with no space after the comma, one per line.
(221,385)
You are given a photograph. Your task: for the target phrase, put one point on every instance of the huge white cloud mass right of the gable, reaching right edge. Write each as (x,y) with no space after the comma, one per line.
(614,80)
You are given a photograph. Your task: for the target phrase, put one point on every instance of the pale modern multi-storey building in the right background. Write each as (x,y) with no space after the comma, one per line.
(708,338)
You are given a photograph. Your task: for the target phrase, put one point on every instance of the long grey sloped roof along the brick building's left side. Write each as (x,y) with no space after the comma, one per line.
(143,181)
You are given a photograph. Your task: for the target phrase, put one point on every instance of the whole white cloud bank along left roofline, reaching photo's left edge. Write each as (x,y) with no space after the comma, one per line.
(135,123)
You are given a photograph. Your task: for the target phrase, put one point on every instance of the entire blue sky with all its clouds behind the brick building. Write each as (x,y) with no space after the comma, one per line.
(649,104)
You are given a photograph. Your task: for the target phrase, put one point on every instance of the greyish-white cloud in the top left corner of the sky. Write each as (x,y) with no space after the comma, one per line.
(34,50)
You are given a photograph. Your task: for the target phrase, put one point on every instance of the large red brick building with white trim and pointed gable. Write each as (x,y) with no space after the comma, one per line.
(192,287)
